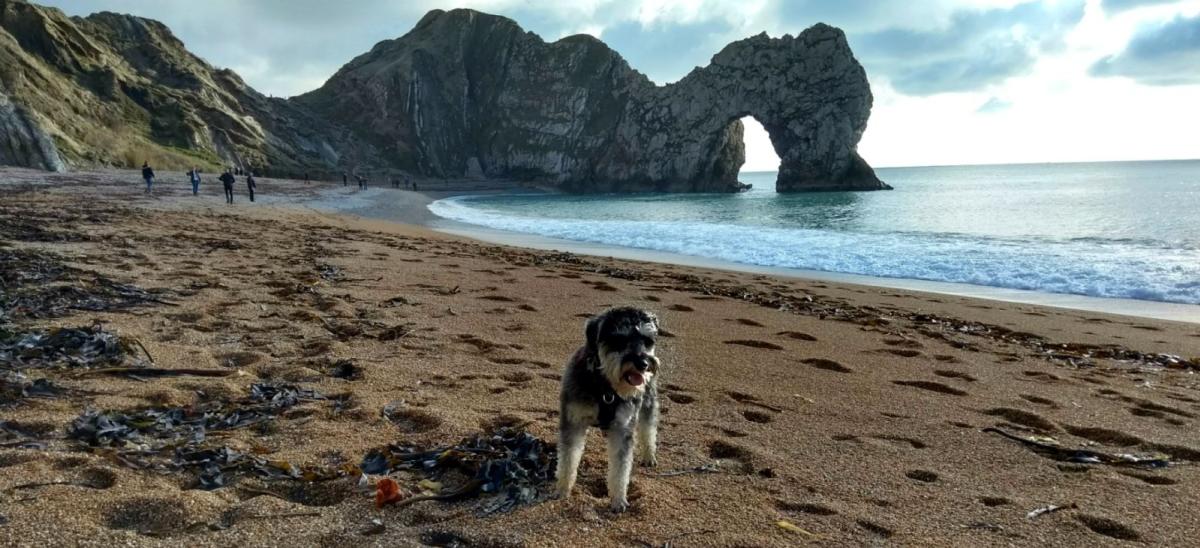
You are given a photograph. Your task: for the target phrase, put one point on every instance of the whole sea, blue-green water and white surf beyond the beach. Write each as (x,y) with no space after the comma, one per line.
(1127,230)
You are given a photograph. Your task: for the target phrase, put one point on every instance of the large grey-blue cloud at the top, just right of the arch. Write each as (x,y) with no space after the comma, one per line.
(974,51)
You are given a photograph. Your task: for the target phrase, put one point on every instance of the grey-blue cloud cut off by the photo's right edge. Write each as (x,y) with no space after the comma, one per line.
(1166,55)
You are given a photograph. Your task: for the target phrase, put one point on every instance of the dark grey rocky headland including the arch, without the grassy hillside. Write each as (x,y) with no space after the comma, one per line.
(466,89)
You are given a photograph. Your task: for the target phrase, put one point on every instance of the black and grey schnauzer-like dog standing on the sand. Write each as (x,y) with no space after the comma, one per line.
(611,384)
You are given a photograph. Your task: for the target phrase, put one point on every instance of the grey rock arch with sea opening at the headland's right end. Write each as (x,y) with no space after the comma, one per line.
(808,92)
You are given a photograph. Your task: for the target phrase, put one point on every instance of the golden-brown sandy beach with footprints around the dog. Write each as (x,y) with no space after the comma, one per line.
(796,412)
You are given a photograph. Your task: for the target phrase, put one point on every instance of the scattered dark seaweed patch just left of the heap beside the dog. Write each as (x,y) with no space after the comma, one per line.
(176,438)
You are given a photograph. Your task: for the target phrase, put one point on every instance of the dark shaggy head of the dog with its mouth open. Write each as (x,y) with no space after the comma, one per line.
(623,340)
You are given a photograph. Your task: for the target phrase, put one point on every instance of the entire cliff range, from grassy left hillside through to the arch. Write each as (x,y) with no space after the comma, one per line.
(463,95)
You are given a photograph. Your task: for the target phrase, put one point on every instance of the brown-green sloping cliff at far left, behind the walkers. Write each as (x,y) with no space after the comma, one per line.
(119,91)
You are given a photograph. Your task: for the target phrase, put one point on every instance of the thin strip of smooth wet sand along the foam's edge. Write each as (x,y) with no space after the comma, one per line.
(412,209)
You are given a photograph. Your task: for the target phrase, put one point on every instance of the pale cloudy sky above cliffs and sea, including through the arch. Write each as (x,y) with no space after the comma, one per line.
(956,82)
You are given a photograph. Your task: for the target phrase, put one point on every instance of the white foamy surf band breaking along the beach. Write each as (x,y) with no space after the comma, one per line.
(1143,270)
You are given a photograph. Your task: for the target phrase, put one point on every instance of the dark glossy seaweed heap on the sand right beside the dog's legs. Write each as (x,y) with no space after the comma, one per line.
(511,466)
